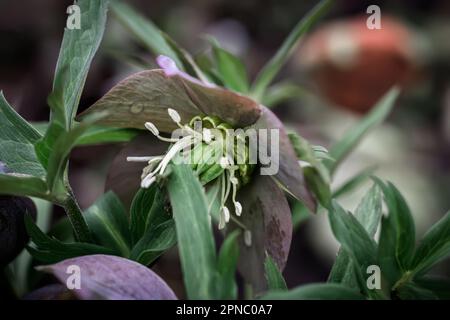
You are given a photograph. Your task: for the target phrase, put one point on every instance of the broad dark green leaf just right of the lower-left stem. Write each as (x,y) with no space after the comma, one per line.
(108,223)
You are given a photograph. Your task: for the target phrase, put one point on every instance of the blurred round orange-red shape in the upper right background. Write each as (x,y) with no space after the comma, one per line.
(353,66)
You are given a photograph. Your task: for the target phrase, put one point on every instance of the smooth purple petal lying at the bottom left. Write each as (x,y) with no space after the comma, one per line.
(111,278)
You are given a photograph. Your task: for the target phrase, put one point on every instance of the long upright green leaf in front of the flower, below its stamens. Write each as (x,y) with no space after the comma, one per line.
(193,231)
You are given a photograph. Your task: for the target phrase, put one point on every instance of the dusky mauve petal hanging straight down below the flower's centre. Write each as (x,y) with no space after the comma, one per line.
(267,215)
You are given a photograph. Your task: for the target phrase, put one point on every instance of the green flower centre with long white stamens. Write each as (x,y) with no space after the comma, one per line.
(215,153)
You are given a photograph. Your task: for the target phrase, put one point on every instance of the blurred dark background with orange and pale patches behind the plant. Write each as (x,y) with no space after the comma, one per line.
(339,70)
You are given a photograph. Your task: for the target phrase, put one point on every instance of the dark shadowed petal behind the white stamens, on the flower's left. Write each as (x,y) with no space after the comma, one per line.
(124,178)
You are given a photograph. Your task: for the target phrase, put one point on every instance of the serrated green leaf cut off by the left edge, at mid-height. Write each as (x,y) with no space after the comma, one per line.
(16,142)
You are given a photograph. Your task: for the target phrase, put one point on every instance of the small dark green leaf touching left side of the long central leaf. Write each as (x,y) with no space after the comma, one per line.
(155,241)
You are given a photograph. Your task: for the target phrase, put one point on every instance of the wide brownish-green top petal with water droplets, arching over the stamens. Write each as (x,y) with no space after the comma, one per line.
(146,96)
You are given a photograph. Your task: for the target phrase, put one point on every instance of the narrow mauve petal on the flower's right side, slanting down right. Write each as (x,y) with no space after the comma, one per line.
(289,175)
